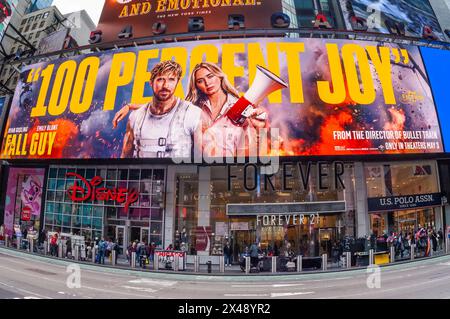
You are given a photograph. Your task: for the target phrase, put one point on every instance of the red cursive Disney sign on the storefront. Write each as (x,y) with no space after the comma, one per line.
(88,191)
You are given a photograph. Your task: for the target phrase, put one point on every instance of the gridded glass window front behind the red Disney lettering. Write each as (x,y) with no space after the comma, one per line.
(97,218)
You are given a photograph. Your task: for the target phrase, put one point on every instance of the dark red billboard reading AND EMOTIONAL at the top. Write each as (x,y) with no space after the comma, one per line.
(141,18)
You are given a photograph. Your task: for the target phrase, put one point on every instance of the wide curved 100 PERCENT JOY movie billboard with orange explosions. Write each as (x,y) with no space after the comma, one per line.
(342,98)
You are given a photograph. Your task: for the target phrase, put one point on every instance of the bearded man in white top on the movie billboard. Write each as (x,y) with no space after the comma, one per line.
(165,127)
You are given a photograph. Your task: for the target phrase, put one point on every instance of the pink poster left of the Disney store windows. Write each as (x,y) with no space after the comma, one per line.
(23,196)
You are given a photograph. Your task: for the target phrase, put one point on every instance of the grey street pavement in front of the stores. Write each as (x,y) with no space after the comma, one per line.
(26,276)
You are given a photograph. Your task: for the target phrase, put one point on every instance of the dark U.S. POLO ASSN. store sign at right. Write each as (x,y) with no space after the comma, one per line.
(403,202)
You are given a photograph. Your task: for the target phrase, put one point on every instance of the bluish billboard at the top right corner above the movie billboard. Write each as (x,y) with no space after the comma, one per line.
(409,15)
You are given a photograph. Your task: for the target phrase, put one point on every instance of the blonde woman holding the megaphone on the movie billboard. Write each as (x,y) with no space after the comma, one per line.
(210,90)
